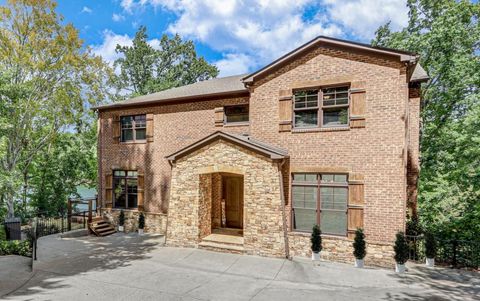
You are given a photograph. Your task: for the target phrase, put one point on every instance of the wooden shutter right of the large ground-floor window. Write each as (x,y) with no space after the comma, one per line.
(356,203)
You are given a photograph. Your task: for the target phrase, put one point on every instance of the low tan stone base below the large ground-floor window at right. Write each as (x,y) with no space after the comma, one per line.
(340,249)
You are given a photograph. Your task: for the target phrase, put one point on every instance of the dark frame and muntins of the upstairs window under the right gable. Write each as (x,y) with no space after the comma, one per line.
(320,108)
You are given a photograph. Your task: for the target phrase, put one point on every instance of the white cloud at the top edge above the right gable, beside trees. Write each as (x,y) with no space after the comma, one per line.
(363,17)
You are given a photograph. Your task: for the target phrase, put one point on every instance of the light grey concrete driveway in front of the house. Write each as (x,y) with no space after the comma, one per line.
(129,267)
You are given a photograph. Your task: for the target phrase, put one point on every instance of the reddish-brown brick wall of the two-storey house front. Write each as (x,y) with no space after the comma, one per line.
(376,151)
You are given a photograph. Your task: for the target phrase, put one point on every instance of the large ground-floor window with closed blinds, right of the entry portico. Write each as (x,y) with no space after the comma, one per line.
(320,199)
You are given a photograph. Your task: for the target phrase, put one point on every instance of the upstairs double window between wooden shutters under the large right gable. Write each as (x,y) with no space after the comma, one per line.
(331,111)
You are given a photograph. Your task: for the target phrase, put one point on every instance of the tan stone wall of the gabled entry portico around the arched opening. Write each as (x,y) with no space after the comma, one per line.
(262,203)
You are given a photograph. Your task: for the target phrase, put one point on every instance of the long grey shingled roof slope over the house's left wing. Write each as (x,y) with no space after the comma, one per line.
(211,87)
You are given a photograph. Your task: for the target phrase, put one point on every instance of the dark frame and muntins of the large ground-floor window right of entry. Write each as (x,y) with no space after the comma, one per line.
(319,184)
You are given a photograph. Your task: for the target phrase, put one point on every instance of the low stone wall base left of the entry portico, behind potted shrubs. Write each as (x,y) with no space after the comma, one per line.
(154,222)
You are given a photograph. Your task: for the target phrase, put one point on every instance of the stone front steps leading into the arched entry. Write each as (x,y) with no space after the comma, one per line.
(223,243)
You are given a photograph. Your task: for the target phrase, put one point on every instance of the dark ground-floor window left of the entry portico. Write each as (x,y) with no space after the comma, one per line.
(125,186)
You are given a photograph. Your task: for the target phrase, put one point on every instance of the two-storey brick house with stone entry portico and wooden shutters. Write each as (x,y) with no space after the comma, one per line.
(328,134)
